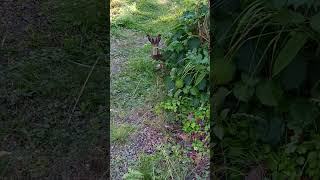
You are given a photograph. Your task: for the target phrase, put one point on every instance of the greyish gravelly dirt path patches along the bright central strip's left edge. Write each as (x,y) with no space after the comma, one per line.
(145,138)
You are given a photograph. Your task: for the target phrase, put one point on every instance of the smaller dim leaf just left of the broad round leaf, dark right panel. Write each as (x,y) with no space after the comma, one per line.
(243,92)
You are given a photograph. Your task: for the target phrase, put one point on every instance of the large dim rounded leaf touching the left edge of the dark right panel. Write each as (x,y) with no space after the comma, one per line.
(223,71)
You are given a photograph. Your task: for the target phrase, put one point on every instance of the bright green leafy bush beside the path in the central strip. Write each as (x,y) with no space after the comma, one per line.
(187,83)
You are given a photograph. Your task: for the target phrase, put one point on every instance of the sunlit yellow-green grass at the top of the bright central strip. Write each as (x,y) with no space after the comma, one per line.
(146,16)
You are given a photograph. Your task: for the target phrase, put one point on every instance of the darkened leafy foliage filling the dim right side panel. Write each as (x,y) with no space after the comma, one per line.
(266,61)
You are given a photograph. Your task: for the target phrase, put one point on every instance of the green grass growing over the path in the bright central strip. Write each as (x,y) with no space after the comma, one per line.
(138,84)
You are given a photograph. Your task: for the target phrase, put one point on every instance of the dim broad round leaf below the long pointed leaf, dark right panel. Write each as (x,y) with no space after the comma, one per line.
(269,93)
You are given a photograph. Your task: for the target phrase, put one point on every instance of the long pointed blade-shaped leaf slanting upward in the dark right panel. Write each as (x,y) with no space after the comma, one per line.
(290,50)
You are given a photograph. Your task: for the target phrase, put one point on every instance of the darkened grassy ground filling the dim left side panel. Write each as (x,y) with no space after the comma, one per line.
(45,137)
